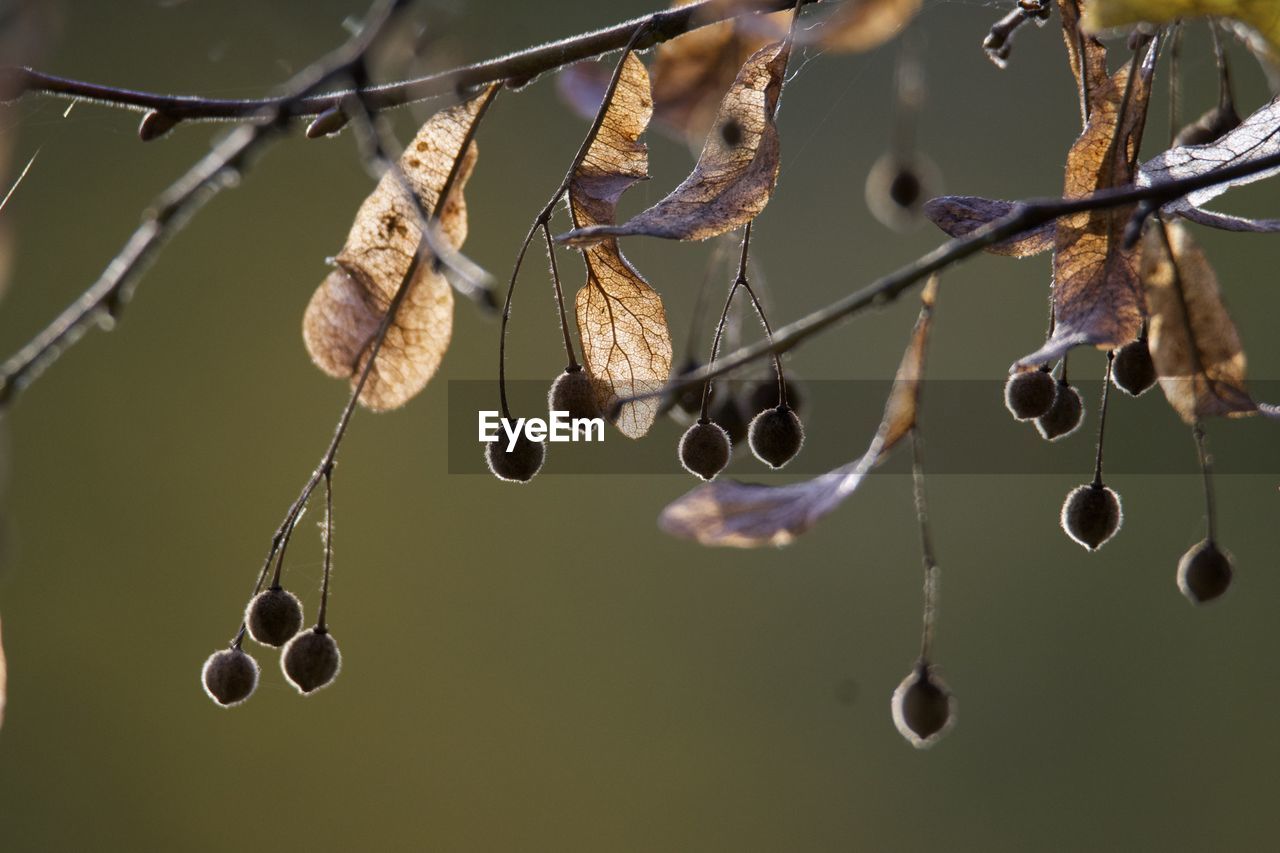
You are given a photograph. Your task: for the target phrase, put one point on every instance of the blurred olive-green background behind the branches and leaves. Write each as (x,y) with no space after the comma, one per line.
(540,668)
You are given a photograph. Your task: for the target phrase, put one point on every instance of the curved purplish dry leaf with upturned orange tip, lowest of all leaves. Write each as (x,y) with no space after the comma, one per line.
(749,516)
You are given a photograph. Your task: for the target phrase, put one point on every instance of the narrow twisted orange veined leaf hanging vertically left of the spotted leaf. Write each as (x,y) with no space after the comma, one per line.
(621,321)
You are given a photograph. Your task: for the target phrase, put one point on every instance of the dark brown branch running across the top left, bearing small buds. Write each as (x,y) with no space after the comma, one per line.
(513,70)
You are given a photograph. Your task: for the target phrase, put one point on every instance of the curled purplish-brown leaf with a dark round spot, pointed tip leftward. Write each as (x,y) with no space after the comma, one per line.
(737,171)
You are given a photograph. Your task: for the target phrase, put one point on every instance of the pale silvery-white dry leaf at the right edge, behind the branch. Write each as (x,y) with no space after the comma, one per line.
(1256,138)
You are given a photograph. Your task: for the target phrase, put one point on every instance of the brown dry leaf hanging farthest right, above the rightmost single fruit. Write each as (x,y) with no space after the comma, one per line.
(1192,339)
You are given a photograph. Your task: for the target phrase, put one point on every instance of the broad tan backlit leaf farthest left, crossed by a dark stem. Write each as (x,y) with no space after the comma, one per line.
(348,309)
